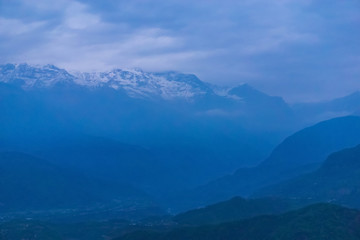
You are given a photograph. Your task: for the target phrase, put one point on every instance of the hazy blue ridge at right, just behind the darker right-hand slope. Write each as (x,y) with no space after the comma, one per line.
(300,153)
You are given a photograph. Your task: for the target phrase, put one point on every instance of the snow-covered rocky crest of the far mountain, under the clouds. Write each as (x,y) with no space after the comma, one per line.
(136,83)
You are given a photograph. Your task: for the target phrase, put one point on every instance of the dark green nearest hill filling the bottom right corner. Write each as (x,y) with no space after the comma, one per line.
(320,221)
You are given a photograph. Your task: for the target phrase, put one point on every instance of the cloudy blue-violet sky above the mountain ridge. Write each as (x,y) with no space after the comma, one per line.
(302,50)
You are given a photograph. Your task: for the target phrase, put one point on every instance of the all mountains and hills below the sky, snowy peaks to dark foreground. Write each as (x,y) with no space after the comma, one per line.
(77,146)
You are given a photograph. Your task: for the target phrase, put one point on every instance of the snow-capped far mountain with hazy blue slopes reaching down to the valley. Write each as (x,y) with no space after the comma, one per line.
(193,129)
